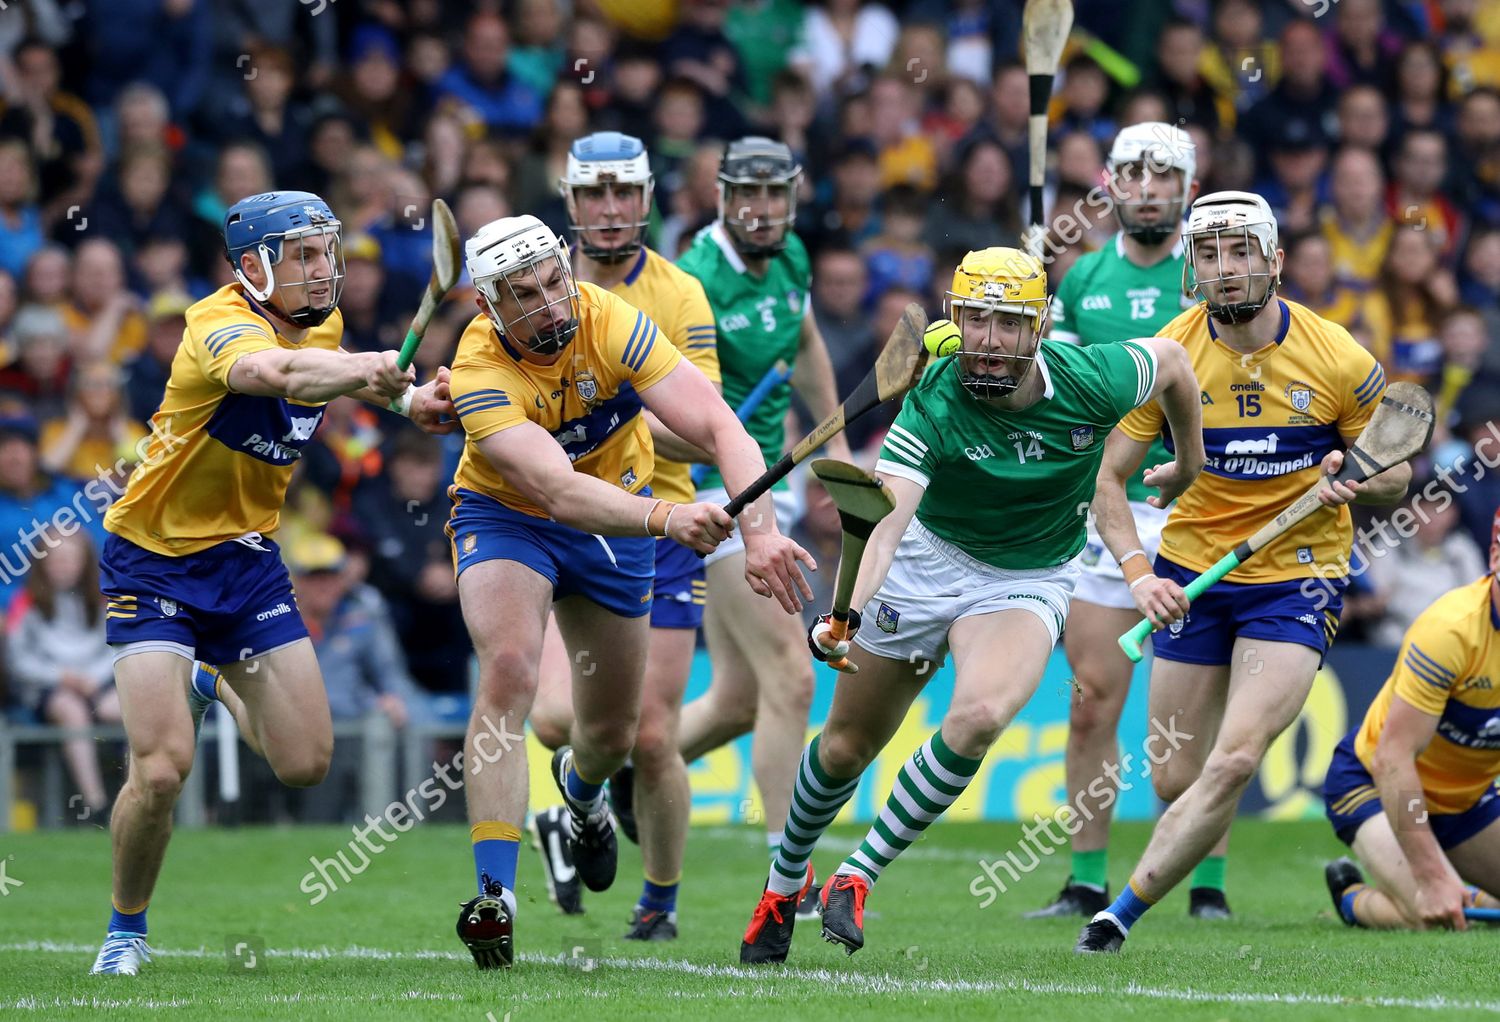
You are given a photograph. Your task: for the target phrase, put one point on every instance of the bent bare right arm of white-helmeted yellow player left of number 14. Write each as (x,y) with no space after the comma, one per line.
(536,464)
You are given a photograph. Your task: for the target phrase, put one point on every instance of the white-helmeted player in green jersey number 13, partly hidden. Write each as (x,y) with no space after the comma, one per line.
(1130,289)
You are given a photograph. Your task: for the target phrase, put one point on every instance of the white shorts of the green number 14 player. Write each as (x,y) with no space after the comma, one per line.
(932,585)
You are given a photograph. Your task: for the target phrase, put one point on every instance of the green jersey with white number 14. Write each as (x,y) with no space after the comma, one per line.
(1013,488)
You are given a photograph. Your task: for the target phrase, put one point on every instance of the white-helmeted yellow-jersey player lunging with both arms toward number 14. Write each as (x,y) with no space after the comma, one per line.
(553,509)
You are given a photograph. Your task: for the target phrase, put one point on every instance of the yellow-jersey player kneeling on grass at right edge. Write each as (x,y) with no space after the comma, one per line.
(1415,790)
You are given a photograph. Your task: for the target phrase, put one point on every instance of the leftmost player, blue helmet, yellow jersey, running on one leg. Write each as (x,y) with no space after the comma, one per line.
(188,570)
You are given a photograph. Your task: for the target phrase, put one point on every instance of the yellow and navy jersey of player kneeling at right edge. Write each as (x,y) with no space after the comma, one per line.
(1450,667)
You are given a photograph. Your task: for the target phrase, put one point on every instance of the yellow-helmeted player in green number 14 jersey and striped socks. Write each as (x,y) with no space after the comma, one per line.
(992,461)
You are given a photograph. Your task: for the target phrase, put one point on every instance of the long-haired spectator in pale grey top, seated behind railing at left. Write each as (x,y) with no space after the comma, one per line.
(61,667)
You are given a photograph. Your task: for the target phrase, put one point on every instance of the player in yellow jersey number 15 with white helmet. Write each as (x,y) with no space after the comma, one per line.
(1285,392)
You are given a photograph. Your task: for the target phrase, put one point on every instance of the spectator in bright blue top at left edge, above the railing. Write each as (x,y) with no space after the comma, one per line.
(37,508)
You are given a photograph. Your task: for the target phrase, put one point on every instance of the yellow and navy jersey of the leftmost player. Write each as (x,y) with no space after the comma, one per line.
(218,463)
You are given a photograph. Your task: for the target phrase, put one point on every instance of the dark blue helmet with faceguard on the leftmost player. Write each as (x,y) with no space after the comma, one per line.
(262,224)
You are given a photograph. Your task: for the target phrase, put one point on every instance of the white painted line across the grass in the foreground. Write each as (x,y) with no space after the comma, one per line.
(862,982)
